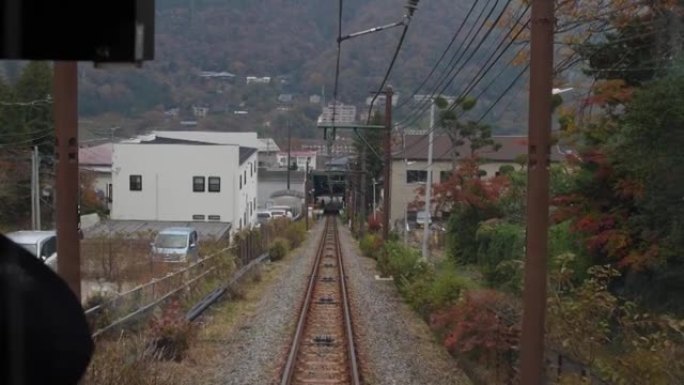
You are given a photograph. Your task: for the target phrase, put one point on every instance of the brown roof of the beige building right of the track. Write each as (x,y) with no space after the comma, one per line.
(415,147)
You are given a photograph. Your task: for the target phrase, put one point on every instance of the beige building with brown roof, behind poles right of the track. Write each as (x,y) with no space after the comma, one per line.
(409,165)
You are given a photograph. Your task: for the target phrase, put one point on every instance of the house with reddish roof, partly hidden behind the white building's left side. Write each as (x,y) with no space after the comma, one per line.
(97,162)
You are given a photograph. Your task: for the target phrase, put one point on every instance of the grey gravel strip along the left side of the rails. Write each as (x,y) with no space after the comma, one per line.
(254,353)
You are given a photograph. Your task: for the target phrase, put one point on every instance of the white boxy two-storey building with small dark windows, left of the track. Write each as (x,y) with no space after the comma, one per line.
(167,179)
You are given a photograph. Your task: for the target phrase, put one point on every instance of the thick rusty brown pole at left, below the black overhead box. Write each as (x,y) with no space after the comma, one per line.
(67,185)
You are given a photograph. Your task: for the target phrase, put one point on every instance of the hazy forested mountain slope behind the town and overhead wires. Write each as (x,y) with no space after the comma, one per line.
(294,43)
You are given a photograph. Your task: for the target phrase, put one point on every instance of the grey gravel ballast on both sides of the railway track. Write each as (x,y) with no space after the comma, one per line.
(394,345)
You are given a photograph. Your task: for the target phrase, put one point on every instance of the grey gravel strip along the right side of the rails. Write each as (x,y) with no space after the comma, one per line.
(396,347)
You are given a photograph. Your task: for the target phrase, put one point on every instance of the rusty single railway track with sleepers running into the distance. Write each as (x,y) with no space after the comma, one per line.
(322,350)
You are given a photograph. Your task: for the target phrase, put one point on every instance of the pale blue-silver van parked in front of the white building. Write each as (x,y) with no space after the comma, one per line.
(176,244)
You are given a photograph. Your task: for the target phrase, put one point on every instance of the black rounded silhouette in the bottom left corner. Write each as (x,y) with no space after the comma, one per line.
(44,336)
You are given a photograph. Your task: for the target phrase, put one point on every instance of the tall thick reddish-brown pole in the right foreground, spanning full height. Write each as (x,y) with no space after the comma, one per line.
(534,294)
